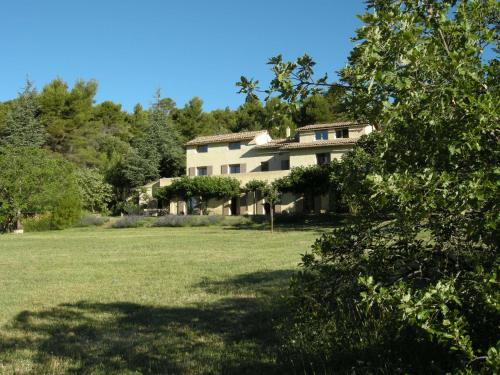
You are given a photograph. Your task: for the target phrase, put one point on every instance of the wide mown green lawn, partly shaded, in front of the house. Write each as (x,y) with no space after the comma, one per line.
(147,300)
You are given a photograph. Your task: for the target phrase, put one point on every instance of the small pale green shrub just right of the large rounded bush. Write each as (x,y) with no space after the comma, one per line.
(95,192)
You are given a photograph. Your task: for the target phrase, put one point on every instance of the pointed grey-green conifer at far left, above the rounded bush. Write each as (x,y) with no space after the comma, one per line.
(22,124)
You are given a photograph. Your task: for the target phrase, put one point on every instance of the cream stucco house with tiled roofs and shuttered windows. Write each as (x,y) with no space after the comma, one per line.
(254,155)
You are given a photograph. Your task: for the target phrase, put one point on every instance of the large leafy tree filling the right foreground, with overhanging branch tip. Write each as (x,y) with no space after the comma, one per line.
(417,293)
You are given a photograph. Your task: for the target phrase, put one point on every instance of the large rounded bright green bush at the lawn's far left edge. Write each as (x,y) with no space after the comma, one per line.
(34,181)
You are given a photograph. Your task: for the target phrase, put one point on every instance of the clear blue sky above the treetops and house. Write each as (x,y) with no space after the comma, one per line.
(187,48)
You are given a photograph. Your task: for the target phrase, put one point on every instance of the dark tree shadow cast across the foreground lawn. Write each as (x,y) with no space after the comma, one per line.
(232,336)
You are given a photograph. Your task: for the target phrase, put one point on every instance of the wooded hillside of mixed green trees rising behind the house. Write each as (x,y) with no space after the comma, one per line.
(114,152)
